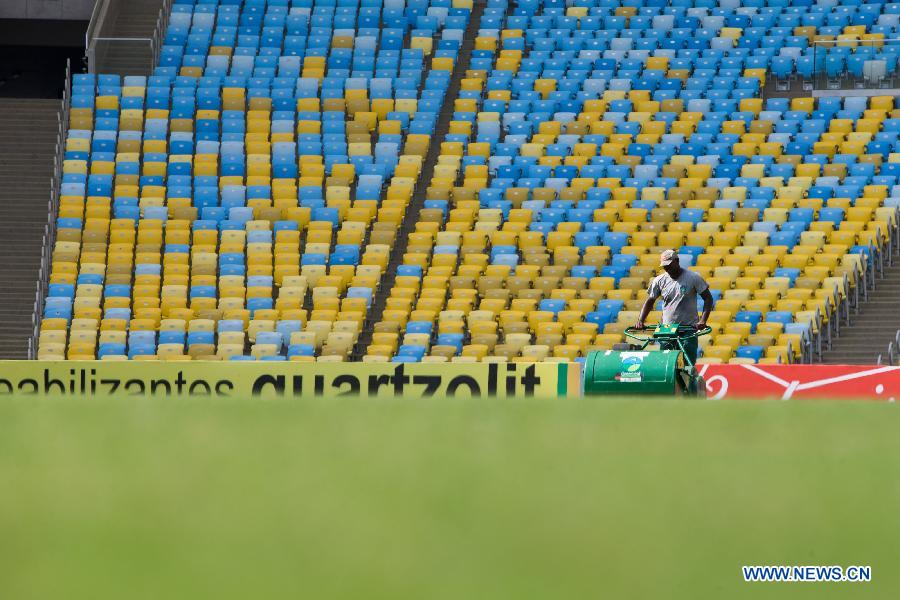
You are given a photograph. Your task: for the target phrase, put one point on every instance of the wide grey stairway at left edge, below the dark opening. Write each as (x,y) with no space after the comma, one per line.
(28,130)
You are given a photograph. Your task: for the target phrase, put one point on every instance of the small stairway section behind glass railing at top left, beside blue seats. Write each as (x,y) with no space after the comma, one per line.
(136,19)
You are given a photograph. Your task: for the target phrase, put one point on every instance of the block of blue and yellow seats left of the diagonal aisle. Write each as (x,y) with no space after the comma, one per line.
(245,198)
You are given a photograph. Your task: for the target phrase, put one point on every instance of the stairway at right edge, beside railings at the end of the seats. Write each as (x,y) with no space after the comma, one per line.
(874,327)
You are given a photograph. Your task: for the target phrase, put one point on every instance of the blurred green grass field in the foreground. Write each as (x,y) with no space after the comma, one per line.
(443,499)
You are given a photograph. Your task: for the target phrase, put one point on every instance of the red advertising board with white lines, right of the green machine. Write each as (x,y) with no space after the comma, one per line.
(820,382)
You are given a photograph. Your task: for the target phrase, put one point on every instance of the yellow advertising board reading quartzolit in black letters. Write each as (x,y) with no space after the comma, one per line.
(85,379)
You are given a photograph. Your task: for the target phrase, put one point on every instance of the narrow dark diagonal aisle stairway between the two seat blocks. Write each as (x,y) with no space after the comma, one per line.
(418,199)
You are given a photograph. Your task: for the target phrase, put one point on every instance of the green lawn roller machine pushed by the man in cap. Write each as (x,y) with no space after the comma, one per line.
(632,369)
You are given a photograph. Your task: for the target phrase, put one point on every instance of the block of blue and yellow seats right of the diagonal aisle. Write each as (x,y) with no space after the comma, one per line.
(580,148)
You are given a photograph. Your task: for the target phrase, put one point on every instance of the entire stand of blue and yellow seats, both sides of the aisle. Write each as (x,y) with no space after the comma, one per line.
(244,201)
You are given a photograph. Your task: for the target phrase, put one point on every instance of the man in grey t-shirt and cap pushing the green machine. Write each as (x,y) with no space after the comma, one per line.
(678,288)
